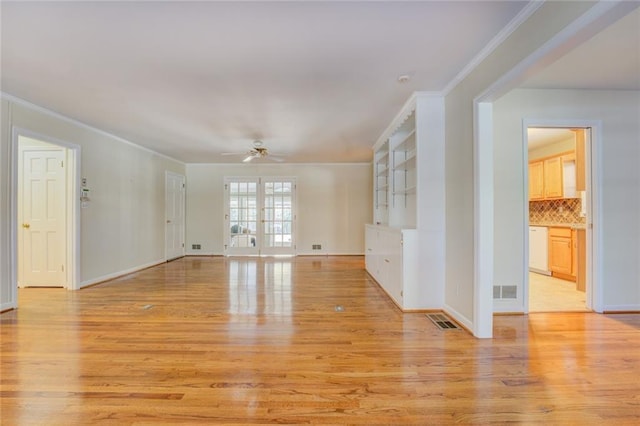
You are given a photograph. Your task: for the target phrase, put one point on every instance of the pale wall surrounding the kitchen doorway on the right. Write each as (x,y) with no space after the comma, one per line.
(619,148)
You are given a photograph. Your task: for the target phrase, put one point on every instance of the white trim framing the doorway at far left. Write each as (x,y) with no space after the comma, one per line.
(73,206)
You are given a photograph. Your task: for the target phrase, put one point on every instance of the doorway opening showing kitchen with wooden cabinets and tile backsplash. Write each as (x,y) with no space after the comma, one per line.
(560,217)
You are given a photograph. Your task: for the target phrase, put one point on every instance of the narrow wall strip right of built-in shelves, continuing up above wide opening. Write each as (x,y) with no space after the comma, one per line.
(549,19)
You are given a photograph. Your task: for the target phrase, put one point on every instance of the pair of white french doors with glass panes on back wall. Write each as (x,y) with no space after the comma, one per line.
(260,216)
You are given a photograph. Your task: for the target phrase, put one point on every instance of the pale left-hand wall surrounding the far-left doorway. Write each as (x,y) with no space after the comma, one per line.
(123,229)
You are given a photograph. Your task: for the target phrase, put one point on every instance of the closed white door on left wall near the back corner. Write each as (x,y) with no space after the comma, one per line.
(175,217)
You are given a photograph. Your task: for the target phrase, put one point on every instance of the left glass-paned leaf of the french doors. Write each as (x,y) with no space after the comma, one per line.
(242,216)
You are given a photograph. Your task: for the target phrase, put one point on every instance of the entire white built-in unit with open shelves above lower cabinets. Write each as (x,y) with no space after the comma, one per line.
(406,239)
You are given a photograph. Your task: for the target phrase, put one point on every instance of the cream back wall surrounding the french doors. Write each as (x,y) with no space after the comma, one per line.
(334,204)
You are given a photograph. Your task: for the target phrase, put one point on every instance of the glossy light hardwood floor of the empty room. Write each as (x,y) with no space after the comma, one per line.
(242,341)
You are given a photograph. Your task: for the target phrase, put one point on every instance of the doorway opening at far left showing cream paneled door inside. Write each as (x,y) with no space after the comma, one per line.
(44,212)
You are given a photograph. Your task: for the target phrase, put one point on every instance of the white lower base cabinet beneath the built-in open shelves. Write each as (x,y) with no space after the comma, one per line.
(391,260)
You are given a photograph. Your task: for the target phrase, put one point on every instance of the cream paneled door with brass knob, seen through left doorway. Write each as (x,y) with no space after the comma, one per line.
(42,217)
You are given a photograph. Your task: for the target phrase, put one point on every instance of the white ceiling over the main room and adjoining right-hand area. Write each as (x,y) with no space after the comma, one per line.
(314,80)
